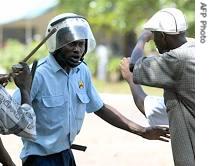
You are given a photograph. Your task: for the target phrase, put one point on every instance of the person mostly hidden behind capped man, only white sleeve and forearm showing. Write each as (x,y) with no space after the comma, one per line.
(152,107)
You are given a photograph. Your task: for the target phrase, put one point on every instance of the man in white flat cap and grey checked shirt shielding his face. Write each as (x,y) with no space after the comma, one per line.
(174,71)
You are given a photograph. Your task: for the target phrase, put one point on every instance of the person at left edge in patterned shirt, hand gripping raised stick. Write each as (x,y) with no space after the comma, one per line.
(14,118)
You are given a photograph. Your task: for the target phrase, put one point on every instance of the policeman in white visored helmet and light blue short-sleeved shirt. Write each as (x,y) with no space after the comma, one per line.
(62,92)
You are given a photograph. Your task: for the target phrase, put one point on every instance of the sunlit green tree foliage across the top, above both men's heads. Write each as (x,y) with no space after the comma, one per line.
(126,15)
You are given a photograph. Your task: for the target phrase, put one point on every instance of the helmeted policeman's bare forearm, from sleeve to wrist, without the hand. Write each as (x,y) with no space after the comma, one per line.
(113,117)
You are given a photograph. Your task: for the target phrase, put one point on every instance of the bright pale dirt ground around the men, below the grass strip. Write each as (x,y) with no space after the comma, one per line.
(107,145)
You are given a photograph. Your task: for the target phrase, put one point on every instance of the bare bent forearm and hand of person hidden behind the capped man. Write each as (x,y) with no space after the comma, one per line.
(136,90)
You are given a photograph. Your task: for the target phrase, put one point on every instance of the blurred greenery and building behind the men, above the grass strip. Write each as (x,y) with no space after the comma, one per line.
(116,25)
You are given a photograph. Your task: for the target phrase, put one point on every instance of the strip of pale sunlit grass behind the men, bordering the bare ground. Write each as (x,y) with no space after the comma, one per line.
(122,87)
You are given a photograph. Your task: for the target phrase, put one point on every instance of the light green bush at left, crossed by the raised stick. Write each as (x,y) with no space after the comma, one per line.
(14,52)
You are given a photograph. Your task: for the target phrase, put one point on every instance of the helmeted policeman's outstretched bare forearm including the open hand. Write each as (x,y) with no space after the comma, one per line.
(113,117)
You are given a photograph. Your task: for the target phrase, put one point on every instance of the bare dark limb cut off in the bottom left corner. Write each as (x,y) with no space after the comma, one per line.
(5,159)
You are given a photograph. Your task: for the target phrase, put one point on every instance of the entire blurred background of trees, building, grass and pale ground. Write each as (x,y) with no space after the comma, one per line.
(116,25)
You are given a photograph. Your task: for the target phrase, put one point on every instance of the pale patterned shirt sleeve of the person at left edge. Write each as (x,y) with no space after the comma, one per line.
(16,119)
